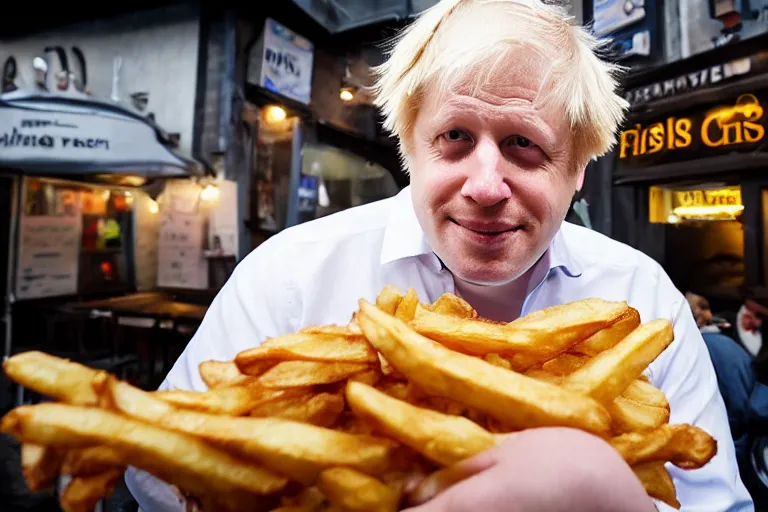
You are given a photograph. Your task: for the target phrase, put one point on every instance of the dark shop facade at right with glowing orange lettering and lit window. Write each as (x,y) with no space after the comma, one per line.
(689,174)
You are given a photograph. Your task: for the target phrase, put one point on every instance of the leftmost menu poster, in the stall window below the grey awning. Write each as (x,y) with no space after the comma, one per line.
(48,256)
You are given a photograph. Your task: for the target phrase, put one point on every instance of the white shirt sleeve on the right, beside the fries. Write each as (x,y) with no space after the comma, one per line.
(684,372)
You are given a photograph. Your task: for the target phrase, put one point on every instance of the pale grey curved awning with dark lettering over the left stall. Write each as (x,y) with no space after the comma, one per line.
(85,139)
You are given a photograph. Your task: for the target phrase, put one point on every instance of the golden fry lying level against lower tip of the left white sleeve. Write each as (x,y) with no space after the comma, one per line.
(231,401)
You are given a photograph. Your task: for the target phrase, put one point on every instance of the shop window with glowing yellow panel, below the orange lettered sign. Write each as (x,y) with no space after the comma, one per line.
(704,236)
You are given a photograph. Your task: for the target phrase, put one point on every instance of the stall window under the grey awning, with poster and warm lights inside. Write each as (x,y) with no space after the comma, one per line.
(73,239)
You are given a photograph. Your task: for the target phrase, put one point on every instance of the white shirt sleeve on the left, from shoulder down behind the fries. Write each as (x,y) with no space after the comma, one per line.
(256,303)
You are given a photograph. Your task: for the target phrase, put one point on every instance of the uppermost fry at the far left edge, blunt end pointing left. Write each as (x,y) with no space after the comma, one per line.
(53,377)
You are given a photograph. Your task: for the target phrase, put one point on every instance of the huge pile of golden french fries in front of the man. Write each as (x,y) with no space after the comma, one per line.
(340,417)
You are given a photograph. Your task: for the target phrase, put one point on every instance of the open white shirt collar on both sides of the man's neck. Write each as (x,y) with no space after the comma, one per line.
(404,238)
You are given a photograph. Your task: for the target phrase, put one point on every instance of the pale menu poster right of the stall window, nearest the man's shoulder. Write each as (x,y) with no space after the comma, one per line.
(180,252)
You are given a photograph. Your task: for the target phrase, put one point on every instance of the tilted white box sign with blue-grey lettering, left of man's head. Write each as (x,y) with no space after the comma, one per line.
(286,62)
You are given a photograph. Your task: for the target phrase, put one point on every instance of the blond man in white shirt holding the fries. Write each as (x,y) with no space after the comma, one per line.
(498,107)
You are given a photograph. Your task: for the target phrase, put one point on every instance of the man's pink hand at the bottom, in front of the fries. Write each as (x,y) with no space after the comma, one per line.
(552,469)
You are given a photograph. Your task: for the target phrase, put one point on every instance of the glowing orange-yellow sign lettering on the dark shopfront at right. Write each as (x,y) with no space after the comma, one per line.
(727,127)
